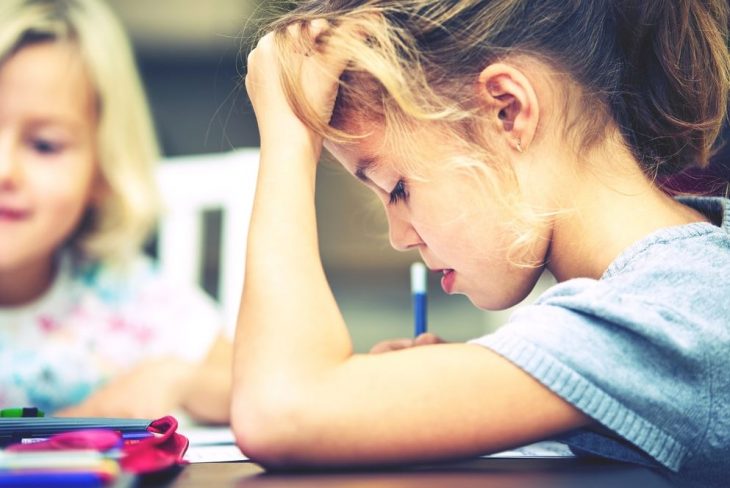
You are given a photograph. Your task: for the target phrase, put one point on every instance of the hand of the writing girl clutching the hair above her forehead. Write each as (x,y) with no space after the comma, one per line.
(316,70)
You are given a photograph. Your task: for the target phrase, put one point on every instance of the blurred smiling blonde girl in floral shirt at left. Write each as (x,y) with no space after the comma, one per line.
(87,326)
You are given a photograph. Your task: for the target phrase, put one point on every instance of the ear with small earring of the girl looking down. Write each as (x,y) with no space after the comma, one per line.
(512,101)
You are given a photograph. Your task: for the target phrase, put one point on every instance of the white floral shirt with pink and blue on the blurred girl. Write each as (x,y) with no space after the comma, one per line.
(93,323)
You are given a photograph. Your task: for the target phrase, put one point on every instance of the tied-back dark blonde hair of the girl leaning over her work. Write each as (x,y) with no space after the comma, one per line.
(657,71)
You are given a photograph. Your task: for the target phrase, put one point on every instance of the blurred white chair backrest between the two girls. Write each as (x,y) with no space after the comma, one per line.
(191,186)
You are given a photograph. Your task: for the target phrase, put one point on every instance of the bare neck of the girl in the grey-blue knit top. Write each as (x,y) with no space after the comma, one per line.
(611,205)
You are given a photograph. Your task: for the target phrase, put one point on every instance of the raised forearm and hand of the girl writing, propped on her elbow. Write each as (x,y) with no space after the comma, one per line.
(290,334)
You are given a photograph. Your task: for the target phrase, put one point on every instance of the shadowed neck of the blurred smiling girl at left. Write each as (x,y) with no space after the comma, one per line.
(27,282)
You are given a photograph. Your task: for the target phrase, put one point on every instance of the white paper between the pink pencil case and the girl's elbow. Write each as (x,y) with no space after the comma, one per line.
(211,444)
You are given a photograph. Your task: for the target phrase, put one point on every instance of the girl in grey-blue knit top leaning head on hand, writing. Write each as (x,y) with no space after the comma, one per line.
(503,137)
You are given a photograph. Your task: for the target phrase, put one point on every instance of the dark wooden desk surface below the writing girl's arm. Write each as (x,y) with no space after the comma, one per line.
(502,473)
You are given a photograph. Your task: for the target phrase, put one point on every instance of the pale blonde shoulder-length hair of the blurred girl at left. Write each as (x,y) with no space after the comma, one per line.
(115,227)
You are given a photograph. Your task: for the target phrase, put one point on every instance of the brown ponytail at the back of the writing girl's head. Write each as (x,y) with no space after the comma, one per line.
(672,98)
